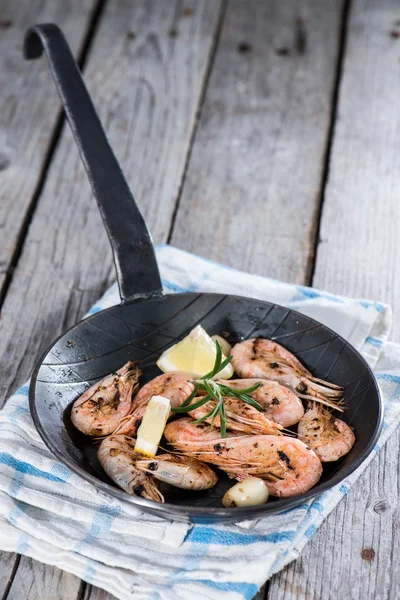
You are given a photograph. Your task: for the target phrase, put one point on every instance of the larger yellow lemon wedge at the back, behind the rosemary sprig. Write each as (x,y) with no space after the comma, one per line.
(195,354)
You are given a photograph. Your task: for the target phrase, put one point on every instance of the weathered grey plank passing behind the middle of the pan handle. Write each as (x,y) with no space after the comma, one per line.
(145,72)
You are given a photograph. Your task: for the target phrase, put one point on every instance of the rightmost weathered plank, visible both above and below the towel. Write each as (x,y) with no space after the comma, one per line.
(358,545)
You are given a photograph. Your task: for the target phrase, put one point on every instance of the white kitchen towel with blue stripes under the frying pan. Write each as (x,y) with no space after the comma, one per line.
(50,514)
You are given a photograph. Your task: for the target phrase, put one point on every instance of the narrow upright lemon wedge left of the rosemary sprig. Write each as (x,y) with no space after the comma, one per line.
(152,426)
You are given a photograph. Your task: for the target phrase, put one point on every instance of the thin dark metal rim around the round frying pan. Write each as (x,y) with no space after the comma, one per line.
(188,512)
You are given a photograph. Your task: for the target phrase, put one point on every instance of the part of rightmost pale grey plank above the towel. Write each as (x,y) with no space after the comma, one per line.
(360,227)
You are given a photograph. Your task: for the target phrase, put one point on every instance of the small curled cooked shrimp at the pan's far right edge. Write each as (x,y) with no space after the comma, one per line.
(330,438)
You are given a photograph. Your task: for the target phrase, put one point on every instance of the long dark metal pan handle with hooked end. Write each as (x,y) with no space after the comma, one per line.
(134,257)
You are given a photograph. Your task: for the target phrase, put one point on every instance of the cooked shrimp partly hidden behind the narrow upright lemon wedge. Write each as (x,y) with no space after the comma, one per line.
(174,386)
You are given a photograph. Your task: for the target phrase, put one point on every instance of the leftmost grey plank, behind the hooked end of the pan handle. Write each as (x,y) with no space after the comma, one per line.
(29,110)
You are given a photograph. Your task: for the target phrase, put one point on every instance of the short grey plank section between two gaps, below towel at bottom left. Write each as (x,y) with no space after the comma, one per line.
(34,580)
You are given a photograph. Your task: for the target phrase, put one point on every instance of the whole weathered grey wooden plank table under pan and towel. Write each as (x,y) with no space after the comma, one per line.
(263,134)
